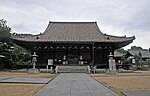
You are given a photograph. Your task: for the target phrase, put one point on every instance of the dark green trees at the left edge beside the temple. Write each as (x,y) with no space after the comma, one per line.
(14,54)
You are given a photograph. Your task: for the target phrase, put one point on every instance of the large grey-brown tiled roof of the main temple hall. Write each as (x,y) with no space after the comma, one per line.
(74,32)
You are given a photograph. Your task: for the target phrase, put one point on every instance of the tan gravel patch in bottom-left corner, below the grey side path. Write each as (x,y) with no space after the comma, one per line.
(7,89)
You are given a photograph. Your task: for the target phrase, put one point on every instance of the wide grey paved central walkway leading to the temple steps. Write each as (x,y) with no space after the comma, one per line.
(75,84)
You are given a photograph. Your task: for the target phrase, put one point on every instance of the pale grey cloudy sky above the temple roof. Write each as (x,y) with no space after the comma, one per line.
(114,17)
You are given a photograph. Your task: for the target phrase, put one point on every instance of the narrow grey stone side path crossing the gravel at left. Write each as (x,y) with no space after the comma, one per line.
(25,80)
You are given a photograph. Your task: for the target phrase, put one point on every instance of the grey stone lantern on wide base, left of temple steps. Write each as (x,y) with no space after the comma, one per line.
(34,60)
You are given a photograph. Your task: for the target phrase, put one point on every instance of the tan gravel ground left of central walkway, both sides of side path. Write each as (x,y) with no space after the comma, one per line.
(15,89)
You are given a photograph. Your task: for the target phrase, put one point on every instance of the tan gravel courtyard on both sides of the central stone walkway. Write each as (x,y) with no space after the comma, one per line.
(119,83)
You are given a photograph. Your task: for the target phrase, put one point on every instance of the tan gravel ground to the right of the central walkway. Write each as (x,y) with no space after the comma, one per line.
(125,81)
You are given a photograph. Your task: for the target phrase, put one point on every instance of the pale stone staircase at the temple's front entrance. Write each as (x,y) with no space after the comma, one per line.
(72,69)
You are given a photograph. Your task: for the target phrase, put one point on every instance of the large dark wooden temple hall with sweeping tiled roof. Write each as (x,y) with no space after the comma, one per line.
(72,42)
